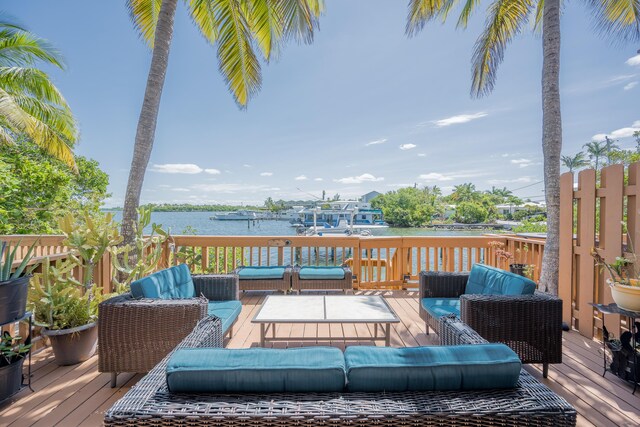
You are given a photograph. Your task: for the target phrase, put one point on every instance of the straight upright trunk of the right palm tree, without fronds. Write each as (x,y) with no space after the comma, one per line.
(551,141)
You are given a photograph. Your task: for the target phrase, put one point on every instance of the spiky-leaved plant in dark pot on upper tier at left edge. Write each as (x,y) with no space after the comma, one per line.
(13,282)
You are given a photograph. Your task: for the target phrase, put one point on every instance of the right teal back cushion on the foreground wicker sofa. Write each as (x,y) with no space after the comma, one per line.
(461,367)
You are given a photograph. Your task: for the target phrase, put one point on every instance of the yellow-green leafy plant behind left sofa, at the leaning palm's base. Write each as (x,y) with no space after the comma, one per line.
(132,262)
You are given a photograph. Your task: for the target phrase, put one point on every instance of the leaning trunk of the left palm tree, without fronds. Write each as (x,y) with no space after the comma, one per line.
(148,116)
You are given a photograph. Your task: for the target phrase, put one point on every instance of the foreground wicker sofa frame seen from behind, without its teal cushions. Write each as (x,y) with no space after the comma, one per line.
(149,403)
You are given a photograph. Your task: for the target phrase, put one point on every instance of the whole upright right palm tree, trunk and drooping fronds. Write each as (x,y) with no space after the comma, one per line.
(506,19)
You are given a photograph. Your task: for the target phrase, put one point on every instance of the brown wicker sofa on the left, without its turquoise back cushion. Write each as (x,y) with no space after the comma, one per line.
(134,335)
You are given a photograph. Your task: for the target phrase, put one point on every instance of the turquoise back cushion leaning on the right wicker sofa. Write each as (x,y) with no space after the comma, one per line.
(494,281)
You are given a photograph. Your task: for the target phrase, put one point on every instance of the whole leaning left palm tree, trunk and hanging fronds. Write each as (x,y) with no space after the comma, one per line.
(235,28)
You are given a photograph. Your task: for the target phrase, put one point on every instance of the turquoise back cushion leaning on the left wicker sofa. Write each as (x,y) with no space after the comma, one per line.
(171,283)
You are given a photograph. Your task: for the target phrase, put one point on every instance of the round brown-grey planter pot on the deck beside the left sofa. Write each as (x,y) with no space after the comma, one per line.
(75,345)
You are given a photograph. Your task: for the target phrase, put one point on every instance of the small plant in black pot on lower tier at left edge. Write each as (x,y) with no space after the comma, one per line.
(12,354)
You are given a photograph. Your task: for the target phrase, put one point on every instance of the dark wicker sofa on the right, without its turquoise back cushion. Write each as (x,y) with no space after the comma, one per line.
(530,324)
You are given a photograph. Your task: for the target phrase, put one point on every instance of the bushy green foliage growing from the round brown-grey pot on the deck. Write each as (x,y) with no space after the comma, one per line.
(60,301)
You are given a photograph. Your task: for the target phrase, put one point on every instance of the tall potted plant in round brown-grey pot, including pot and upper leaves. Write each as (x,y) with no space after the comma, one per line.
(67,307)
